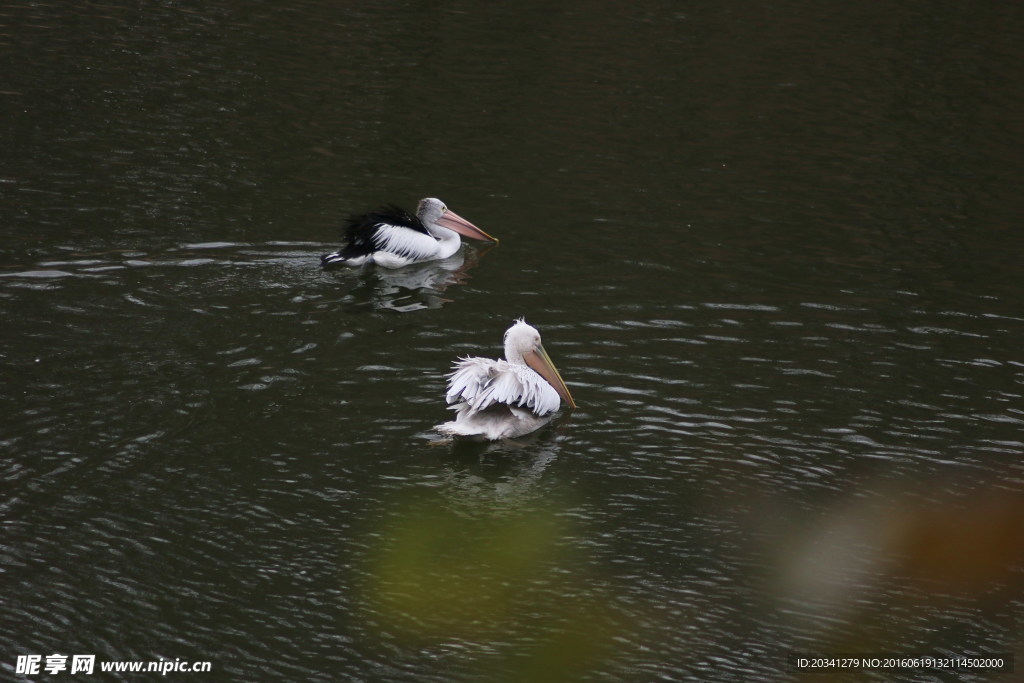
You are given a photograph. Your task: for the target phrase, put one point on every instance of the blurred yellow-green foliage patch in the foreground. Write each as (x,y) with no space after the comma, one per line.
(501,579)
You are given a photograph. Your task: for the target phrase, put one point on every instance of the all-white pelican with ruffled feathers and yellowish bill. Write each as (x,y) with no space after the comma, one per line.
(506,399)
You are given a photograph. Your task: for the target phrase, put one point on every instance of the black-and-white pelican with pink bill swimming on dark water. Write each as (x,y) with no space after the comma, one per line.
(391,237)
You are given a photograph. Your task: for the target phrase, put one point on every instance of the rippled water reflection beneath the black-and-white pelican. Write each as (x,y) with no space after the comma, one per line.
(414,288)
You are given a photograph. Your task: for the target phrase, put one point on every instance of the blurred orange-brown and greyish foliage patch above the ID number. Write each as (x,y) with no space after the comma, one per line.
(886,571)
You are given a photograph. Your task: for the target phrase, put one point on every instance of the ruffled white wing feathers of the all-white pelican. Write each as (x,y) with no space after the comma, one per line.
(483,382)
